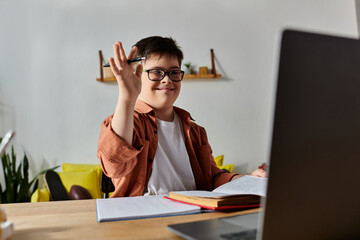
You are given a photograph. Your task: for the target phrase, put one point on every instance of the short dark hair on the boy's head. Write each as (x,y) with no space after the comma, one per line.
(160,45)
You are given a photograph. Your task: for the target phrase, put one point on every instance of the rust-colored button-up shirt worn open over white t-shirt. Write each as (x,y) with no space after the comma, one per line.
(129,166)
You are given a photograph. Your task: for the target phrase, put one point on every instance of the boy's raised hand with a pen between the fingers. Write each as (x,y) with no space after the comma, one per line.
(129,82)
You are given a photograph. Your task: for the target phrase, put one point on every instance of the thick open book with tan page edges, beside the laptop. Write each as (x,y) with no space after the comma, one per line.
(243,192)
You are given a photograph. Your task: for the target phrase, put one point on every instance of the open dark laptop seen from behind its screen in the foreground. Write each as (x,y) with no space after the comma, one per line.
(313,189)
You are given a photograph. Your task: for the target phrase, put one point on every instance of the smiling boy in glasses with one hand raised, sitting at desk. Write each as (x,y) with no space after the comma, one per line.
(148,146)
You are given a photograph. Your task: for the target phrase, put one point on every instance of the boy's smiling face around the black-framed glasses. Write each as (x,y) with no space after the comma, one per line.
(161,94)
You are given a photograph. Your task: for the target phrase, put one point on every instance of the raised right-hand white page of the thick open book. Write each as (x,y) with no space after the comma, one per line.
(244,185)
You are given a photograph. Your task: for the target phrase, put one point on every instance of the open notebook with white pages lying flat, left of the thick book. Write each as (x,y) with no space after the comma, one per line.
(125,208)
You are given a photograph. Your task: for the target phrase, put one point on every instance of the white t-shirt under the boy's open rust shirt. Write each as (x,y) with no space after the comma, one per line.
(171,169)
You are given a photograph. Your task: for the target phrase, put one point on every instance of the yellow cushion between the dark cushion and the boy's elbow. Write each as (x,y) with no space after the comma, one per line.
(86,179)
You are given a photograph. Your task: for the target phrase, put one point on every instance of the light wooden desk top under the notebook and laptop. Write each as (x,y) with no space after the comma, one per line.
(77,220)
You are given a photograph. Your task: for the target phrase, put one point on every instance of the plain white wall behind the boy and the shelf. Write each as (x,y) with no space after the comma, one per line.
(49,63)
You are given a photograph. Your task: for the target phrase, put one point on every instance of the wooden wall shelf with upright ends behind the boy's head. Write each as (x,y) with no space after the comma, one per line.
(213,75)
